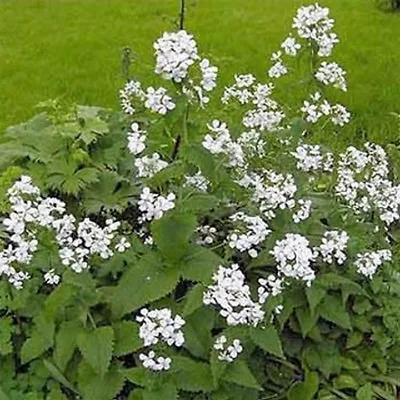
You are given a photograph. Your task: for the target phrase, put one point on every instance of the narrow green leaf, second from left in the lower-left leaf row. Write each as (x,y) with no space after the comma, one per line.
(65,343)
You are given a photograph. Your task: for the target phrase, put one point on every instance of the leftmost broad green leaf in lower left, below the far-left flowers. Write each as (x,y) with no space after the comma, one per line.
(41,339)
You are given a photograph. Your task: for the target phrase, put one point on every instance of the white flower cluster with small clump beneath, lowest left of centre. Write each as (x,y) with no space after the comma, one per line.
(159,326)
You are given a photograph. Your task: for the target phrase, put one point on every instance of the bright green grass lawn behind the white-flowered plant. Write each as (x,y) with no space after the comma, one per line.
(72,49)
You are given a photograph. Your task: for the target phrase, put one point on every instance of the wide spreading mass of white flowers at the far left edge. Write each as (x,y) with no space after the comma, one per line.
(29,212)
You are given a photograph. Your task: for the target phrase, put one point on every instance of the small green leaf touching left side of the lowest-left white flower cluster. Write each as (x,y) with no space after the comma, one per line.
(127,338)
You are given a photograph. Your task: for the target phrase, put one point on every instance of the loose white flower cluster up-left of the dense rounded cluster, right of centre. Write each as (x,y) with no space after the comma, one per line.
(250,232)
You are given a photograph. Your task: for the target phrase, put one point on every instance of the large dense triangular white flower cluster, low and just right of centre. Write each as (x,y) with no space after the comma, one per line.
(232,295)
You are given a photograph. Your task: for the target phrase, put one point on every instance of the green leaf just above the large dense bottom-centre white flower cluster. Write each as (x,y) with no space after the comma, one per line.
(199,264)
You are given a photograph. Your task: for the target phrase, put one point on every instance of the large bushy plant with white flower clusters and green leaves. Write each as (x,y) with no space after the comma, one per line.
(169,252)
